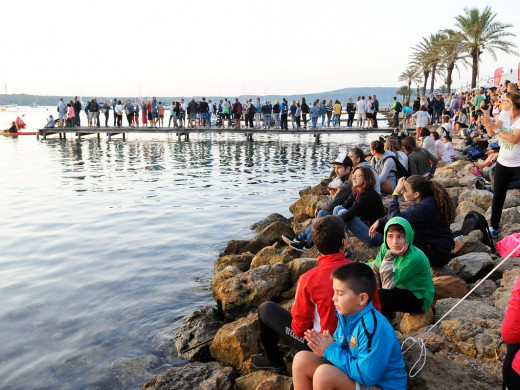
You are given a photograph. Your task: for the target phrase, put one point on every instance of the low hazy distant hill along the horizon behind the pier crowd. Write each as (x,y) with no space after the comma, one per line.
(384,95)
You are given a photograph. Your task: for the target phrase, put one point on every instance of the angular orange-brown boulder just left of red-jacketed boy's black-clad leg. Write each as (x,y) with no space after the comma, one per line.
(237,341)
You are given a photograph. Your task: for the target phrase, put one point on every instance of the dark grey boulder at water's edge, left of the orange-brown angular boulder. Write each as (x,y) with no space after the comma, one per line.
(192,338)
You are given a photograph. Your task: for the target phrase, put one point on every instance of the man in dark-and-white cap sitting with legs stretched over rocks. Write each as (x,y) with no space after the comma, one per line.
(342,167)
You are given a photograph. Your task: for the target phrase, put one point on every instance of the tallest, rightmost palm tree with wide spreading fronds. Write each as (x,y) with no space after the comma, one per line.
(479,31)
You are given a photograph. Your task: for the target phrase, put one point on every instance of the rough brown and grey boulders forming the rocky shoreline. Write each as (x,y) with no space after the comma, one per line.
(465,351)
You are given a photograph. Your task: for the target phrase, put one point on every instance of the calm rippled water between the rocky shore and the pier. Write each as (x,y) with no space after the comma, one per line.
(107,246)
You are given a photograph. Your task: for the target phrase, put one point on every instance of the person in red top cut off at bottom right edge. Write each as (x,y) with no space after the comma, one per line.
(511,335)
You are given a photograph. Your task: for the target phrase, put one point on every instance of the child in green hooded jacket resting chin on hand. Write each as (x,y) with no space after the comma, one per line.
(404,271)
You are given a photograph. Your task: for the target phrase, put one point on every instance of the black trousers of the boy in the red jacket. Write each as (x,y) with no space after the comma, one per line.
(275,322)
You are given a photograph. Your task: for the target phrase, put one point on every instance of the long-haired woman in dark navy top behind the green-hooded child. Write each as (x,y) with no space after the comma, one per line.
(430,215)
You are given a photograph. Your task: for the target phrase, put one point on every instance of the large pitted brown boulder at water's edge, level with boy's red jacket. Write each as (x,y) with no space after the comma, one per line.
(244,292)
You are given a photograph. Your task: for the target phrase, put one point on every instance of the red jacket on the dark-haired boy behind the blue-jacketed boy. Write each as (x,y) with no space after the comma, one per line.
(313,306)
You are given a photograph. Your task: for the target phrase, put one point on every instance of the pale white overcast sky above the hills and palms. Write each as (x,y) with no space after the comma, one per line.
(217,48)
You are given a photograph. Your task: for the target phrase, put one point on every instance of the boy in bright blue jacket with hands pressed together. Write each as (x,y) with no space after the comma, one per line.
(364,353)
